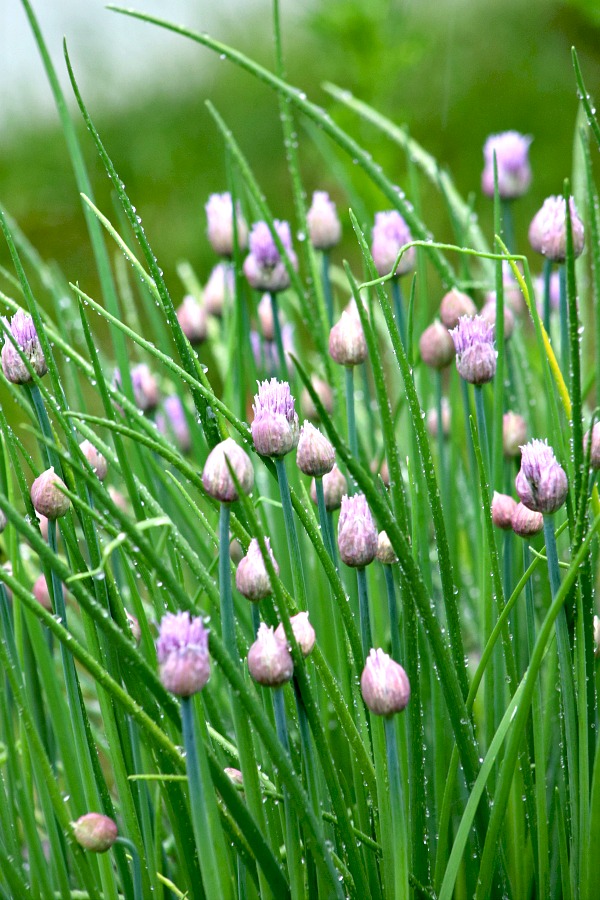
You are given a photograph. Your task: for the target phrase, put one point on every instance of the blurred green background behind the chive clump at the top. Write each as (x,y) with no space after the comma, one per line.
(453,71)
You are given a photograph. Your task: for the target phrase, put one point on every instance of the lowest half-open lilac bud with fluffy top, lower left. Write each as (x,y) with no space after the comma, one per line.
(182,651)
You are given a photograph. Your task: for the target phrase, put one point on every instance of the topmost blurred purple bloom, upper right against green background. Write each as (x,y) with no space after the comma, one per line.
(512,161)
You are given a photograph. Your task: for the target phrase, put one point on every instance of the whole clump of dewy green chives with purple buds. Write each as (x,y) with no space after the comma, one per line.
(164,734)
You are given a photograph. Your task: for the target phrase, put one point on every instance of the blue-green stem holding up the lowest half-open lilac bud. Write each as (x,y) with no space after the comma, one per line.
(215,878)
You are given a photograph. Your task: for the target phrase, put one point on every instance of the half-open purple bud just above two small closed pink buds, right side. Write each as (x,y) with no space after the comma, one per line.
(541,483)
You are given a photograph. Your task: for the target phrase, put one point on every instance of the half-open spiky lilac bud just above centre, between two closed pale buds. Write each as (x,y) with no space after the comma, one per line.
(275,428)
